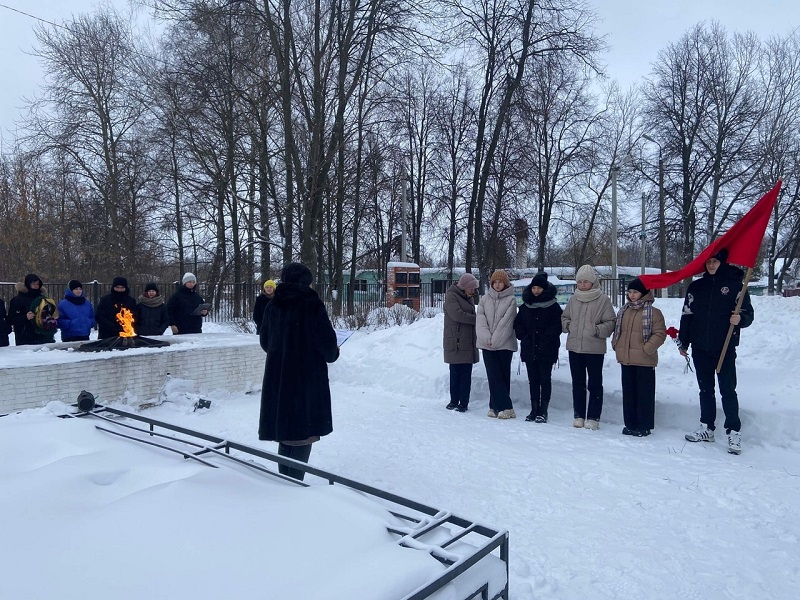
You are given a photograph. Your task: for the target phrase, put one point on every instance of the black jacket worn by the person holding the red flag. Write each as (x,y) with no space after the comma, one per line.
(707,309)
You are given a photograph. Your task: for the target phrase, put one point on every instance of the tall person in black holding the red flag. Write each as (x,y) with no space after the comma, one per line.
(708,313)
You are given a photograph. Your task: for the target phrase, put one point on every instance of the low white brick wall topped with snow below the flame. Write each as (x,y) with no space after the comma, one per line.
(232,362)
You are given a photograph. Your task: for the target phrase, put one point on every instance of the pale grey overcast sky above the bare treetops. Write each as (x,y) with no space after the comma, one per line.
(635,34)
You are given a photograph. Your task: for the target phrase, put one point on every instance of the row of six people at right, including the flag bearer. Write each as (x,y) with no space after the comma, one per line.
(637,331)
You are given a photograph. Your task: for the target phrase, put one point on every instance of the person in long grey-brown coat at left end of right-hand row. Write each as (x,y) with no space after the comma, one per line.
(459,339)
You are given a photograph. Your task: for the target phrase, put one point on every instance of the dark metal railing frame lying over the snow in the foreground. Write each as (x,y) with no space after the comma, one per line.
(213,452)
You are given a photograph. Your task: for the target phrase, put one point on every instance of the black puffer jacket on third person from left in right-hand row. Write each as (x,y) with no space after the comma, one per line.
(538,325)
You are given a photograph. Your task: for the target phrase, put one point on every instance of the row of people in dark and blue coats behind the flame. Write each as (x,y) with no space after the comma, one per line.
(34,317)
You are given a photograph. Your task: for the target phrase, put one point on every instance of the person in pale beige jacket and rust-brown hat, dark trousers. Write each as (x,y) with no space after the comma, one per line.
(496,340)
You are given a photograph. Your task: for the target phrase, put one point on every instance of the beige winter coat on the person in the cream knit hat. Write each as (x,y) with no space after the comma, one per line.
(588,324)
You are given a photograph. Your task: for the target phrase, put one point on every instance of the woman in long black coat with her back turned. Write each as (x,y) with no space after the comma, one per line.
(299,340)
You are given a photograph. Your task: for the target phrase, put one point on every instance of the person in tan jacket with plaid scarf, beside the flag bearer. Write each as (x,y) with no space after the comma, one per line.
(639,333)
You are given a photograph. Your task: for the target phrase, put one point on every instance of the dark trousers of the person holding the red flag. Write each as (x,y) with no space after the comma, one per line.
(705,366)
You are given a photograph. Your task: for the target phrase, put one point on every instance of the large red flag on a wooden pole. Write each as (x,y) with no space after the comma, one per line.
(743,241)
